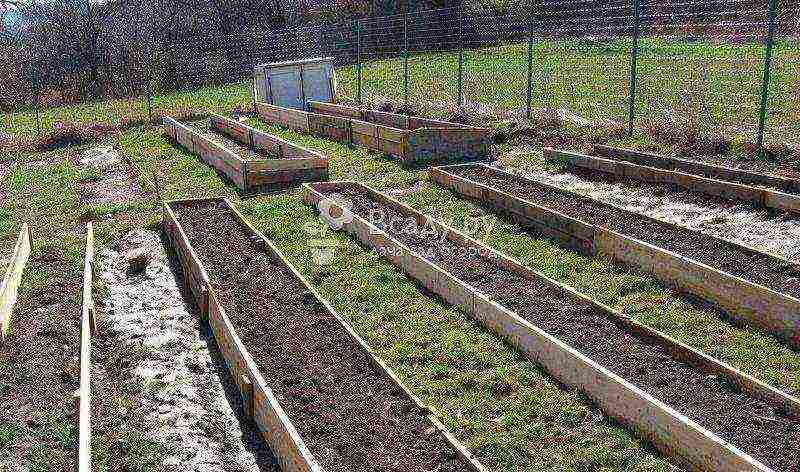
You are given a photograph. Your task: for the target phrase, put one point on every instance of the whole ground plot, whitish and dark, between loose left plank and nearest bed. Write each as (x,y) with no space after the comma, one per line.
(149,335)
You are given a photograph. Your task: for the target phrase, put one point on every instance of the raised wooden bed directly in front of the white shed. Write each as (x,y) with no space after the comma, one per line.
(412,140)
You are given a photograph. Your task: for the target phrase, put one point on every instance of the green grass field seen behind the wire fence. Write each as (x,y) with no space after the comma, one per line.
(715,85)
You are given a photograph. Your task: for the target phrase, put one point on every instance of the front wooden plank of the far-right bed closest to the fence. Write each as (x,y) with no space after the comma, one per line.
(709,186)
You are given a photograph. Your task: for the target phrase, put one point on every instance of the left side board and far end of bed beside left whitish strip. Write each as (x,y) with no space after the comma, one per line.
(268,414)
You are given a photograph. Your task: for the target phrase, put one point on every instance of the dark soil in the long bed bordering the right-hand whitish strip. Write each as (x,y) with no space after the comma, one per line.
(747,264)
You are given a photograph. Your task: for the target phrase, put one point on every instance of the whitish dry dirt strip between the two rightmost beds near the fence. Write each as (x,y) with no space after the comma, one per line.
(774,232)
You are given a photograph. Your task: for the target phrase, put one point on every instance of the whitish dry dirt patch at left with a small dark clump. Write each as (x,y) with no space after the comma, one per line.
(188,394)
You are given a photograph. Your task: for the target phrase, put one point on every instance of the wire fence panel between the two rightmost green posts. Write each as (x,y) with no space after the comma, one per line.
(700,68)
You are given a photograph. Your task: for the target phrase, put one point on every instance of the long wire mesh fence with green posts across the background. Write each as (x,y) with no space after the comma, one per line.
(676,68)
